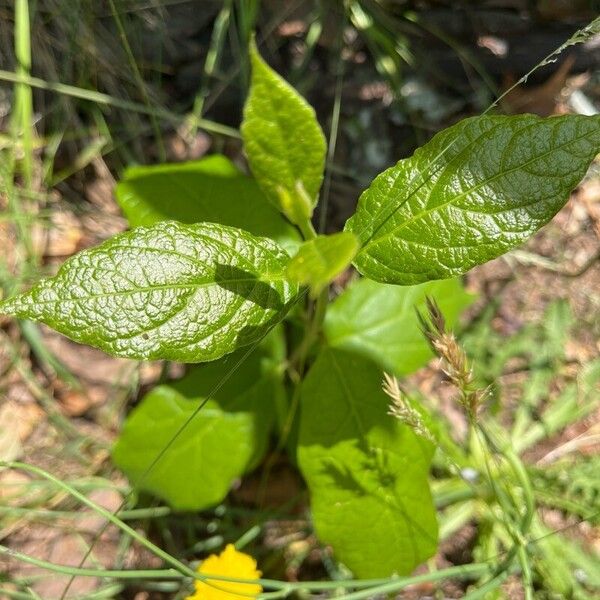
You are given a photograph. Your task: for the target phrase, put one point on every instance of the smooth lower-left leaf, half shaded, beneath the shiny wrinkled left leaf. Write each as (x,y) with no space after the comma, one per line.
(224,439)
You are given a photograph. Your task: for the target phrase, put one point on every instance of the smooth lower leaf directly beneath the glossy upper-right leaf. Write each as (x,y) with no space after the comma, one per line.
(379,321)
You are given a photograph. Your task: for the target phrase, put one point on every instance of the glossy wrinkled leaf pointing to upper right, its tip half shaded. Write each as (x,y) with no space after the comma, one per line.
(473,192)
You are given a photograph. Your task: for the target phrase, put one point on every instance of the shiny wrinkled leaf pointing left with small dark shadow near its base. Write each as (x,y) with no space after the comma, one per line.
(189,293)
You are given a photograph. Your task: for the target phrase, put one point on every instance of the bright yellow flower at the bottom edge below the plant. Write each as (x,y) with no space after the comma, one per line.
(230,563)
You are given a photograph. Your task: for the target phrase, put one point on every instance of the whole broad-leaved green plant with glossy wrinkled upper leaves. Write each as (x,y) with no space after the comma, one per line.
(208,276)
